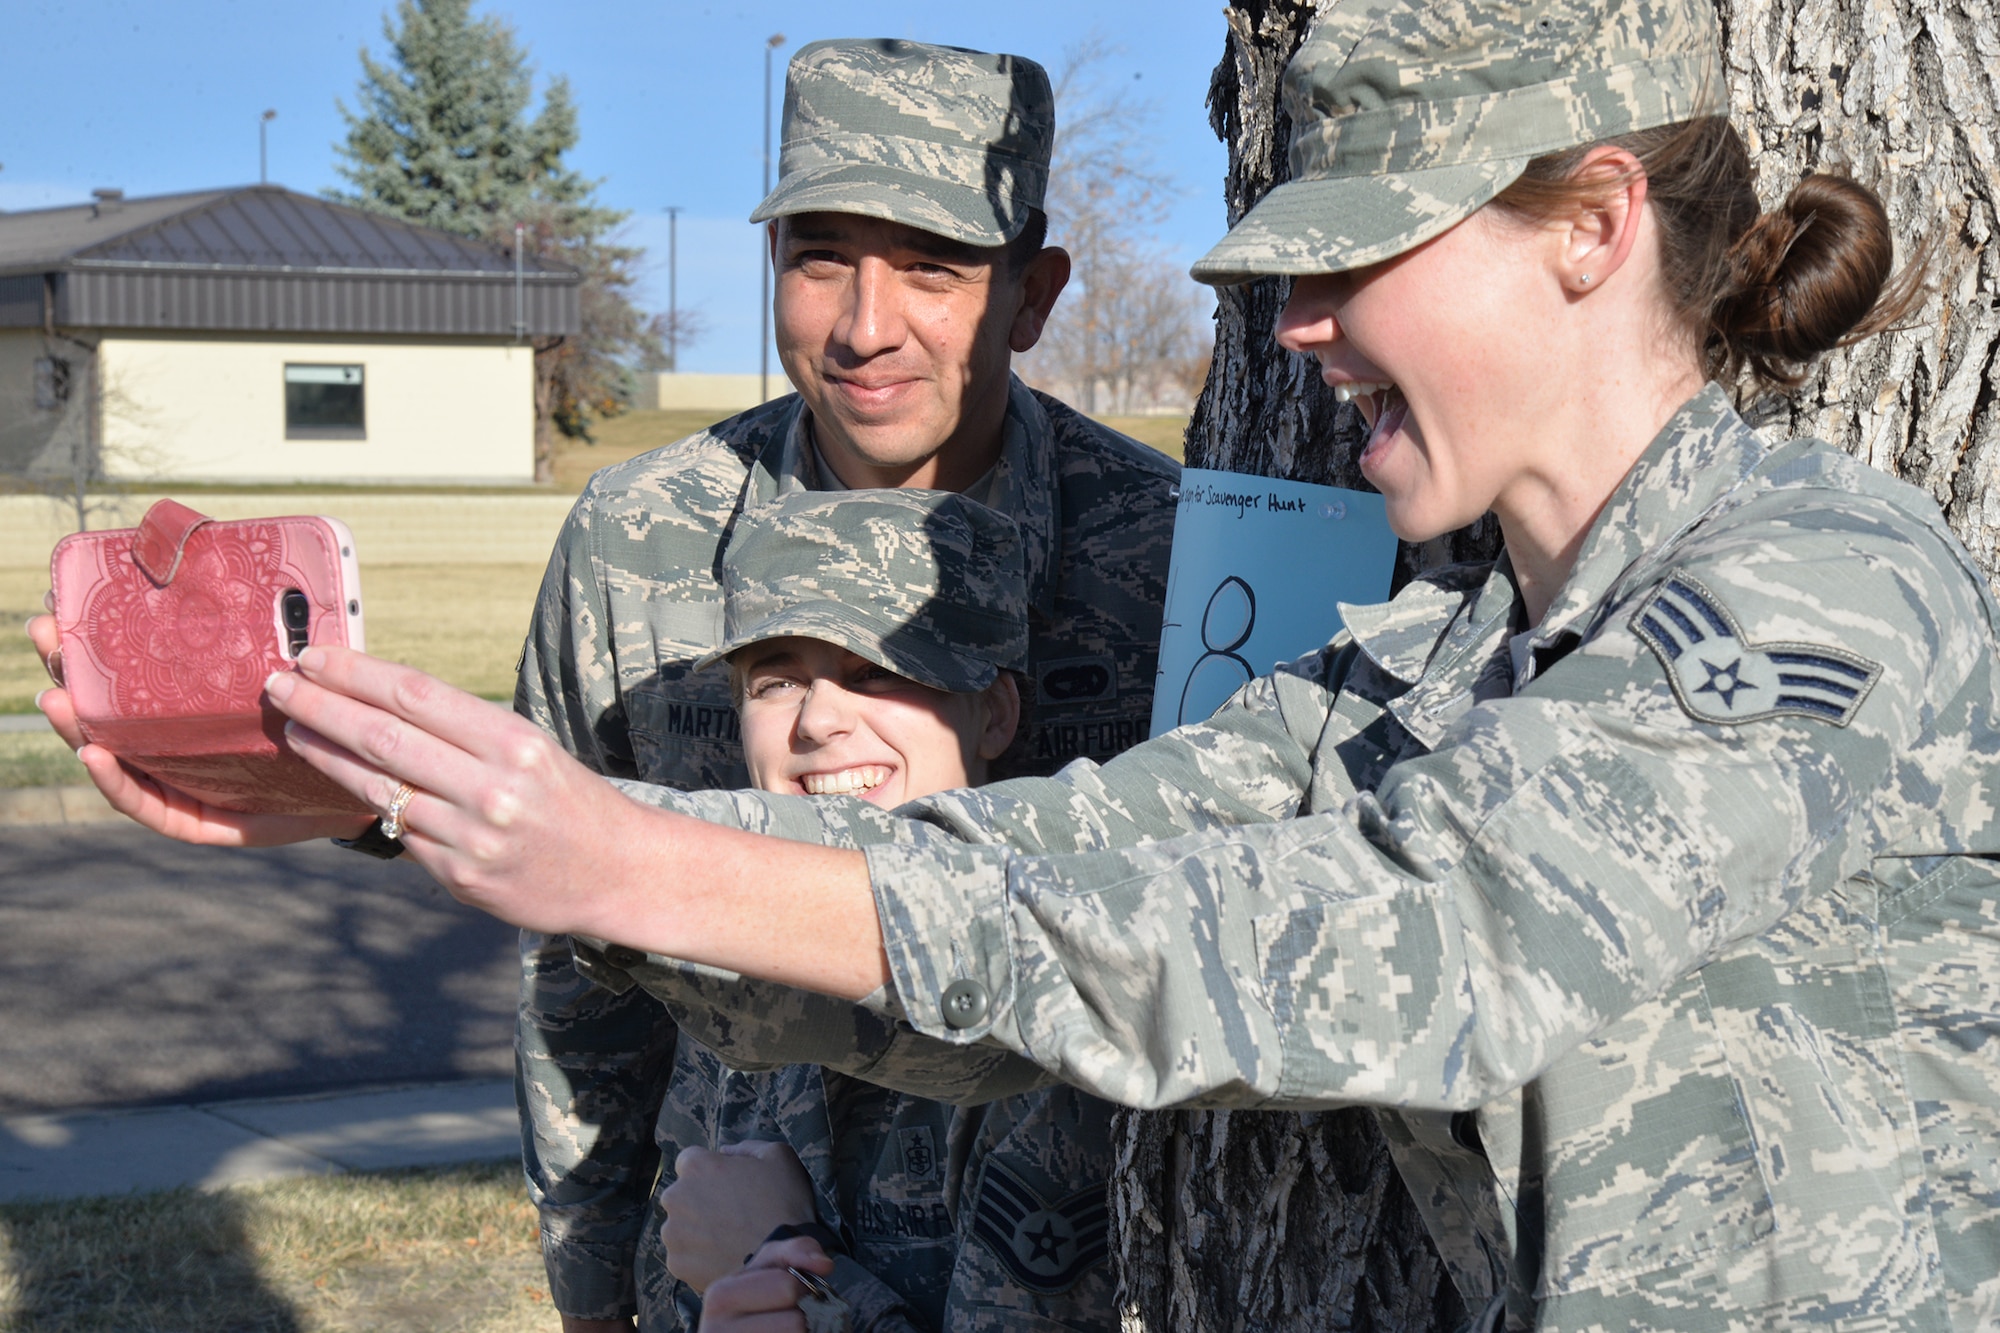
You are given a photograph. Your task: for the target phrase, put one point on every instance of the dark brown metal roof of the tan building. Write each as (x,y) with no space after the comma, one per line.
(267,259)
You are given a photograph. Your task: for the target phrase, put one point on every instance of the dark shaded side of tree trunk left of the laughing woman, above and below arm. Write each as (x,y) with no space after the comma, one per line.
(1271,1220)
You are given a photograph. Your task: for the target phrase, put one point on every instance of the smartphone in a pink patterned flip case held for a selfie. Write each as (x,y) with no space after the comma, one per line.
(171,629)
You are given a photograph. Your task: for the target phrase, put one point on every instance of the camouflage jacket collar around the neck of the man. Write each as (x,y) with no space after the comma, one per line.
(1023,481)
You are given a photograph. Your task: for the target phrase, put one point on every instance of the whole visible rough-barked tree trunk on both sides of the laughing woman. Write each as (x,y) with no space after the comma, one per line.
(1273,1222)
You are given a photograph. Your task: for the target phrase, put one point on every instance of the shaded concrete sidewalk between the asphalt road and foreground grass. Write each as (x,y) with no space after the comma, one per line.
(209,1146)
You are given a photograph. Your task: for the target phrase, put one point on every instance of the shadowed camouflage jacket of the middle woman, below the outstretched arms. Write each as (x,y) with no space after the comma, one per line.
(979,1218)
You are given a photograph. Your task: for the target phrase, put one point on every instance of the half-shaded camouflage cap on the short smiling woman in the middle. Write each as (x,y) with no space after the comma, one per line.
(925,583)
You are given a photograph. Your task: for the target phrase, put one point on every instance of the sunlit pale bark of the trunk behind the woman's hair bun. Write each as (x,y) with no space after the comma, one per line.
(1903,95)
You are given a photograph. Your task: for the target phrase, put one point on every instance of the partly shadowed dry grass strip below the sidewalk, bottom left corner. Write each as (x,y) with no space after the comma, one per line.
(421,1252)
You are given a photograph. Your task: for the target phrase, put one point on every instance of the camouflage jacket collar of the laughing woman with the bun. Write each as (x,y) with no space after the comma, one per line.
(1441,635)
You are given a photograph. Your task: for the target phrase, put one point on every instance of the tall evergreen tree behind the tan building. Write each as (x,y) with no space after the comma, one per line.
(443,137)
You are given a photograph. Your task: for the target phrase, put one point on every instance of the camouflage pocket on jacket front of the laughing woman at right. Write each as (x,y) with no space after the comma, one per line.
(1647,1152)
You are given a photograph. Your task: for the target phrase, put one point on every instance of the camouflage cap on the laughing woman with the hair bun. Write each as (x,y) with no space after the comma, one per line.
(1407,115)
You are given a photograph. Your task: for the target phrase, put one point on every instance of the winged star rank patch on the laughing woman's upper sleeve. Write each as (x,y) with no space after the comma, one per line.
(1721,678)
